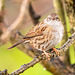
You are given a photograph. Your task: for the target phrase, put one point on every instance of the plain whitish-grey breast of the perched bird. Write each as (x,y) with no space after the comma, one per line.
(57,34)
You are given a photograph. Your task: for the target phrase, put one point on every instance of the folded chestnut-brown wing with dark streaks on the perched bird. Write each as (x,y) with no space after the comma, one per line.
(36,30)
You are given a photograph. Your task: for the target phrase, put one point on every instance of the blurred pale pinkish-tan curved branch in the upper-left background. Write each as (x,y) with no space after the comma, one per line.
(23,12)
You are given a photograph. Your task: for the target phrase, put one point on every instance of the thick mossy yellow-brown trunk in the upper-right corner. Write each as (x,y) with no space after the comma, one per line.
(70,9)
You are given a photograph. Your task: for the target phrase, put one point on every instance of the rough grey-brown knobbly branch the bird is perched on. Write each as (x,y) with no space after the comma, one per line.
(37,59)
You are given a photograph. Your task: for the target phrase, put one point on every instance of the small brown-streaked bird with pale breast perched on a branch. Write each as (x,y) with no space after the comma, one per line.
(45,35)
